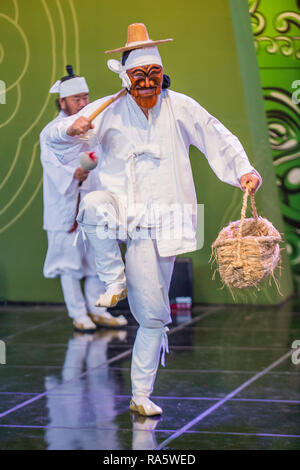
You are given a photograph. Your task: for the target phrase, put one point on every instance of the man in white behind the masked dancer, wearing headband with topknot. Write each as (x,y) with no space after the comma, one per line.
(64,179)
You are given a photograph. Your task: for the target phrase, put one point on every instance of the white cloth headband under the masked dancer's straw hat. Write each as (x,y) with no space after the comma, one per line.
(136,58)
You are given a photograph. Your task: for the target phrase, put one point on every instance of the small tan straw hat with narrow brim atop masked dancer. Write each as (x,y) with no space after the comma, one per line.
(137,37)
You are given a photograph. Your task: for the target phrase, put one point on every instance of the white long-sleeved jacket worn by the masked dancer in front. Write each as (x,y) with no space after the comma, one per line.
(145,162)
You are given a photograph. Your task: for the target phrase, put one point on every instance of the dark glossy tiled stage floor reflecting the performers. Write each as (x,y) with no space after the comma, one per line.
(230,382)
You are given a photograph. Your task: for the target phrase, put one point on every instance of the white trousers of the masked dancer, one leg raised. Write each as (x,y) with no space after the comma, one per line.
(147,276)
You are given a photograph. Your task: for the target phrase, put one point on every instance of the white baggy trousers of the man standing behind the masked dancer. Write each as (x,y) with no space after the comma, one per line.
(71,263)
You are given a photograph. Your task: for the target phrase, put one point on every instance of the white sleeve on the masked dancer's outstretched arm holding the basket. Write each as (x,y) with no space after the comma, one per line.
(223,150)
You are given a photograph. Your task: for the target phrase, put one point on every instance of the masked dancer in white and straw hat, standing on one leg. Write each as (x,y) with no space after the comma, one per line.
(145,167)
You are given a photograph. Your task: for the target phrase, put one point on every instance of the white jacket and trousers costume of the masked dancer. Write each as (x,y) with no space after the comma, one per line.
(145,163)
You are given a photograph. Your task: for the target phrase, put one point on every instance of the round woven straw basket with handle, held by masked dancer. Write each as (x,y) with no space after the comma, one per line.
(247,250)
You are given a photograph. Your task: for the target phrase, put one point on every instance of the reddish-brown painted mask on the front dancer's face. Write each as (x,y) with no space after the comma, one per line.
(146,83)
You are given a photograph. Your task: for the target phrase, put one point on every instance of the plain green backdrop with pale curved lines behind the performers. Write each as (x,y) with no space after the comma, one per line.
(211,59)
